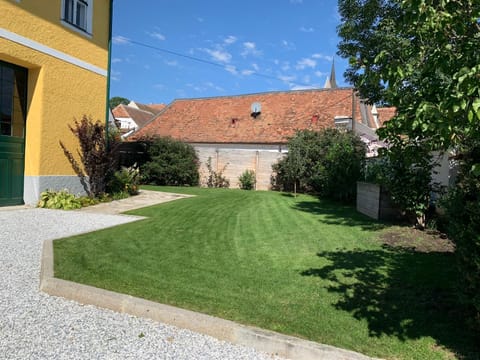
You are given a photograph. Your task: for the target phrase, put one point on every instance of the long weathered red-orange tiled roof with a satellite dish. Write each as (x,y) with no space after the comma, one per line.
(228,119)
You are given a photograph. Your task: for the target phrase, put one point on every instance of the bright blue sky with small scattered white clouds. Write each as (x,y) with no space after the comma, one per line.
(169,49)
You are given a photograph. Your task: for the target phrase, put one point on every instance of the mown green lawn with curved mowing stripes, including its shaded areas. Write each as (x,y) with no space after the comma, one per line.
(299,266)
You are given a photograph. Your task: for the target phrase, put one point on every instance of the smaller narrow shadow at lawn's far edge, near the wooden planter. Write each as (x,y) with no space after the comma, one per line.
(334,213)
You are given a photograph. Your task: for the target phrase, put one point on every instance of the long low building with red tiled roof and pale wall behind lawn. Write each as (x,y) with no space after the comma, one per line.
(251,131)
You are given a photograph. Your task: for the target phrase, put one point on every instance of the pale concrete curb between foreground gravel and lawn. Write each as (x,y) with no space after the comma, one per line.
(261,340)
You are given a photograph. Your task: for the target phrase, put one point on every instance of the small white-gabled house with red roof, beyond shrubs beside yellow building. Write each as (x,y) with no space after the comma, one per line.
(132,117)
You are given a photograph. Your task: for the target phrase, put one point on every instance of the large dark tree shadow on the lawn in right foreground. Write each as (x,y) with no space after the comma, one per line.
(401,293)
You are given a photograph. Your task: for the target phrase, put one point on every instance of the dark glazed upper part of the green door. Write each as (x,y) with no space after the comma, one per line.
(13,99)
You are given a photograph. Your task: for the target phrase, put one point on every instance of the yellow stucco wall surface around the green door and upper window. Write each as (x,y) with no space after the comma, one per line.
(58,90)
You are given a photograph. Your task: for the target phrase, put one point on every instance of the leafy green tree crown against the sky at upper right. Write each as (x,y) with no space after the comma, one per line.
(421,57)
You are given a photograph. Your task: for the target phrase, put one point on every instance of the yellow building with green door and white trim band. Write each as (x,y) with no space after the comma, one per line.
(54,61)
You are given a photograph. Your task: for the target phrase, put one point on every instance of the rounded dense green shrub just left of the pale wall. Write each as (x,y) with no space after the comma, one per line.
(171,162)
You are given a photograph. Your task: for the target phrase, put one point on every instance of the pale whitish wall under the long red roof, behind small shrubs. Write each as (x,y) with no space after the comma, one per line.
(234,159)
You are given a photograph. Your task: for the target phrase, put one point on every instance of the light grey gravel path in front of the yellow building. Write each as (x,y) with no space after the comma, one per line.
(34,325)
